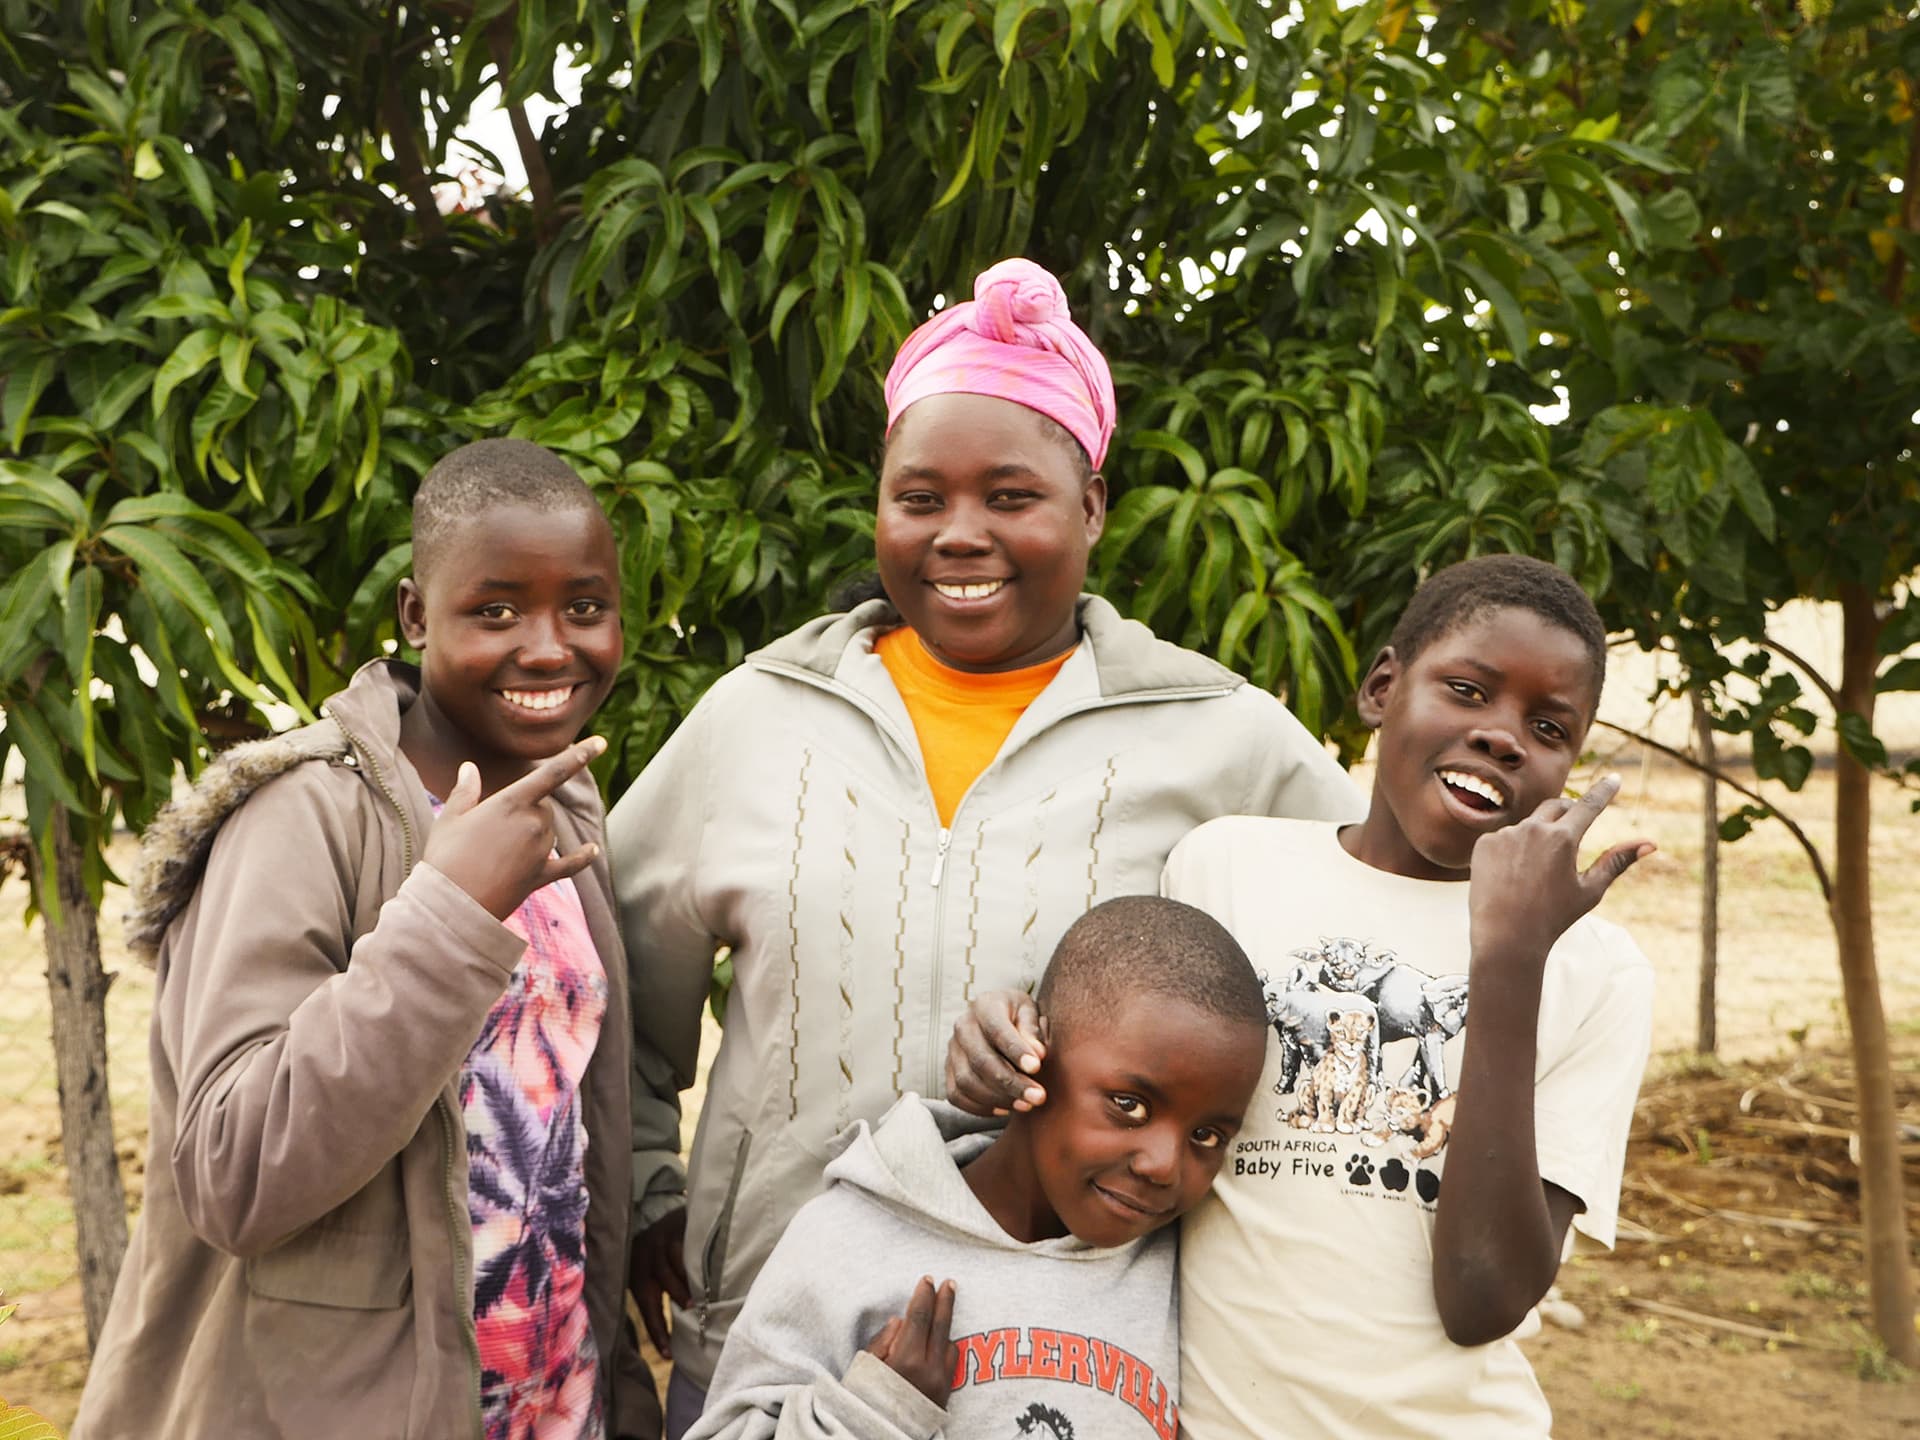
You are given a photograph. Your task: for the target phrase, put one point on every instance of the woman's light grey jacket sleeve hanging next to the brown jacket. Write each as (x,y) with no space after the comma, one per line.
(656,836)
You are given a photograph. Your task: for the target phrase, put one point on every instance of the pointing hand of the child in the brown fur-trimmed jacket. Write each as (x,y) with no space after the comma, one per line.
(500,850)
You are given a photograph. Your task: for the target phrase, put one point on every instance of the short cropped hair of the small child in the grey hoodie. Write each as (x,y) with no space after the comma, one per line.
(1147,946)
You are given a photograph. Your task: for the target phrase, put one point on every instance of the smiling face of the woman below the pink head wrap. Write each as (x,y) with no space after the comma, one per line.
(984,531)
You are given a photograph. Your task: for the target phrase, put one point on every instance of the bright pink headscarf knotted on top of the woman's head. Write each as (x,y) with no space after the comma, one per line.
(1015,341)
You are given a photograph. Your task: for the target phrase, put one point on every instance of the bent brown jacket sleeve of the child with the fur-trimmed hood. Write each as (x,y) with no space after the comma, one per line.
(300,1074)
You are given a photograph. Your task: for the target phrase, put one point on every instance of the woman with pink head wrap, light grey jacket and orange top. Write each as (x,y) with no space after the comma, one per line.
(903,807)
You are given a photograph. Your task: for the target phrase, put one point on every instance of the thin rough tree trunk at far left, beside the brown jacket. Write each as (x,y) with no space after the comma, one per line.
(80,996)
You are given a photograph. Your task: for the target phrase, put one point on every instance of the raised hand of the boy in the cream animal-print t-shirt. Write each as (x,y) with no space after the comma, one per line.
(1527,884)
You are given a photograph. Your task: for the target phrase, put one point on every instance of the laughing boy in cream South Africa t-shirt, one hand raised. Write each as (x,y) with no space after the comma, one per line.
(1452,1068)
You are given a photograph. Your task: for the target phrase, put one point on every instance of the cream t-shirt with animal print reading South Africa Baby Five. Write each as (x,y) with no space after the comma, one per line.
(1307,1278)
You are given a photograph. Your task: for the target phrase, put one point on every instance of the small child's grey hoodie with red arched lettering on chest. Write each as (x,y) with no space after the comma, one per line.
(1059,1341)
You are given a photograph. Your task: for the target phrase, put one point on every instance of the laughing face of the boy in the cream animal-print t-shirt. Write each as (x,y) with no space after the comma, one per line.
(1474,734)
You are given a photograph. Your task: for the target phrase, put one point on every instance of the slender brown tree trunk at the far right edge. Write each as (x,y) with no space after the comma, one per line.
(1883,1203)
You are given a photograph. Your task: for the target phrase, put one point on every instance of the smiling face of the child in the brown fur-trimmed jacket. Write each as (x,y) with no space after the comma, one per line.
(519,636)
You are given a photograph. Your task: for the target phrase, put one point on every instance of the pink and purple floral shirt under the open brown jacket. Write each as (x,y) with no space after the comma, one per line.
(527,1188)
